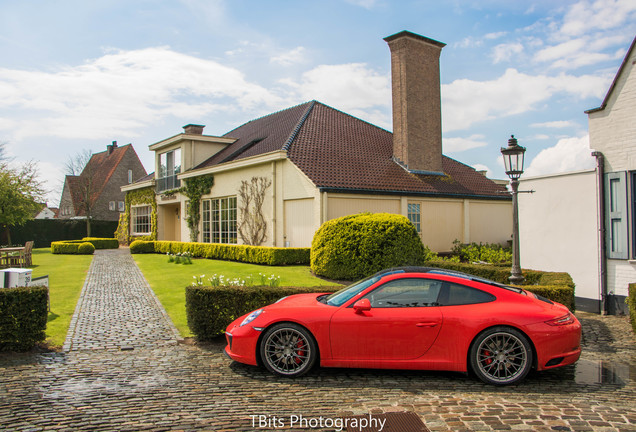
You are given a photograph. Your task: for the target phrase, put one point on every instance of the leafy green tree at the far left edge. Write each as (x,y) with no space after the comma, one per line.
(20,192)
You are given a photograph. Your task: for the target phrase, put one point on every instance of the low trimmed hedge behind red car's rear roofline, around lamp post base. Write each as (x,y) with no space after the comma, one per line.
(555,286)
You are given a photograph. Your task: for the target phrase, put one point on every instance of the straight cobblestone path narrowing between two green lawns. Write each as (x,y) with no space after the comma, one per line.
(117,309)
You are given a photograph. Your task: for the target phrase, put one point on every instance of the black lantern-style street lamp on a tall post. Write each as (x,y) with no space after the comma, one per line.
(513,161)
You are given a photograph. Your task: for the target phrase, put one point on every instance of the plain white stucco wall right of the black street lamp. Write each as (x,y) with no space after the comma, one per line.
(558,228)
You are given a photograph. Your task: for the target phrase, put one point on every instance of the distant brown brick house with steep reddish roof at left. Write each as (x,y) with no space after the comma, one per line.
(100,184)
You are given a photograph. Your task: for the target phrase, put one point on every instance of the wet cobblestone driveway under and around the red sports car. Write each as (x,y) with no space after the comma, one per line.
(181,387)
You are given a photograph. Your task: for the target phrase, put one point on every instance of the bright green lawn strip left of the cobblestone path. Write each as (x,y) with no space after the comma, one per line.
(66,278)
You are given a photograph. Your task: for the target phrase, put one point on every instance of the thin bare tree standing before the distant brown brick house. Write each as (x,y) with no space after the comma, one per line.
(83,188)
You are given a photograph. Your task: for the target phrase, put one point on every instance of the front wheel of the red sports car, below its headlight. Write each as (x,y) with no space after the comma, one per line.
(288,349)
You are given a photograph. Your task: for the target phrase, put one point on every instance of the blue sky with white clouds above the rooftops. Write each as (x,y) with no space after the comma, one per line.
(77,75)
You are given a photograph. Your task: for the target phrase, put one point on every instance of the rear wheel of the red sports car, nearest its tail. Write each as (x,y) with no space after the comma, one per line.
(501,356)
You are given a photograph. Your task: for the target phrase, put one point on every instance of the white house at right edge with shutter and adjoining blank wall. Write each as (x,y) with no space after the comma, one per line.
(586,220)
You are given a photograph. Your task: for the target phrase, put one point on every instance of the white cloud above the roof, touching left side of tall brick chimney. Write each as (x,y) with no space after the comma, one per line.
(348,87)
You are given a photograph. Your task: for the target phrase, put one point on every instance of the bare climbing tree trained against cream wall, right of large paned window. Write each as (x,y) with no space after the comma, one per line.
(253,226)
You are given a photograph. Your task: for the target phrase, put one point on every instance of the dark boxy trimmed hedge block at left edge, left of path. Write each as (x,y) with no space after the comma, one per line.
(23,315)
